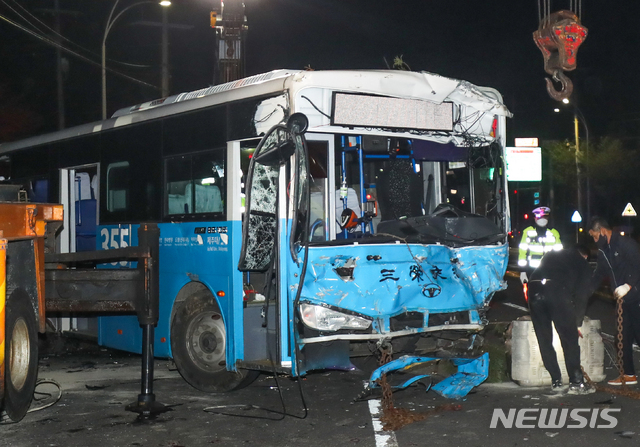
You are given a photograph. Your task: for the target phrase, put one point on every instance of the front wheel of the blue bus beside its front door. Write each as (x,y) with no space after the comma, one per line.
(198,344)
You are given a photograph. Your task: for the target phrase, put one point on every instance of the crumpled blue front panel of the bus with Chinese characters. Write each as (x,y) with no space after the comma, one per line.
(382,281)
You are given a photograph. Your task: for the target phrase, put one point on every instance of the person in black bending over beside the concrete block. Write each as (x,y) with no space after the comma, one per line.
(558,293)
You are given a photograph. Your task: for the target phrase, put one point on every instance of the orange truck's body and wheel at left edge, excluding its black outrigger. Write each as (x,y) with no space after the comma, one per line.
(24,228)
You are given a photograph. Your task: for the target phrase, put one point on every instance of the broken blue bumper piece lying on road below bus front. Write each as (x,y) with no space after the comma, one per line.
(471,373)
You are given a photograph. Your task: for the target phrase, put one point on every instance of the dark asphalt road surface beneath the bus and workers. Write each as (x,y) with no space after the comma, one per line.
(96,384)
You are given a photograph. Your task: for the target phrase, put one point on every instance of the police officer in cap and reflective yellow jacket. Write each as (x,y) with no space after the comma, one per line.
(536,242)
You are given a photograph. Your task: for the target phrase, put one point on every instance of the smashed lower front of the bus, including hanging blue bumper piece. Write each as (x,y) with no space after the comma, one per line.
(427,301)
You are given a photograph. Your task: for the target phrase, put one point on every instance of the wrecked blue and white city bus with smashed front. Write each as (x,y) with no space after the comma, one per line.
(305,216)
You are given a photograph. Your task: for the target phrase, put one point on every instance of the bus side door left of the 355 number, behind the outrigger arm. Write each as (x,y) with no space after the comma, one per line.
(79,193)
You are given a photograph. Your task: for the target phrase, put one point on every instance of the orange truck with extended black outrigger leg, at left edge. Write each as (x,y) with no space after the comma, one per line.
(28,236)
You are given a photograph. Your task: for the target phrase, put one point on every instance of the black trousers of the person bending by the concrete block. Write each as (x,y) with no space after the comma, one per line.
(549,303)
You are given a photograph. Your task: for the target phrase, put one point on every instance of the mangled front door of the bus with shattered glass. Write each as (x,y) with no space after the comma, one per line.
(272,194)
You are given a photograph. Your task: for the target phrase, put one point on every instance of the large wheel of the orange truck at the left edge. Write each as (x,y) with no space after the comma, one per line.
(21,355)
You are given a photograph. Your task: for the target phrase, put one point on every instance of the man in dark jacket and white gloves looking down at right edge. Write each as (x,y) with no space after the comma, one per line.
(619,258)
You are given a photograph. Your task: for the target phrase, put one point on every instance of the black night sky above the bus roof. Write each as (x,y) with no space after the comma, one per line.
(487,43)
